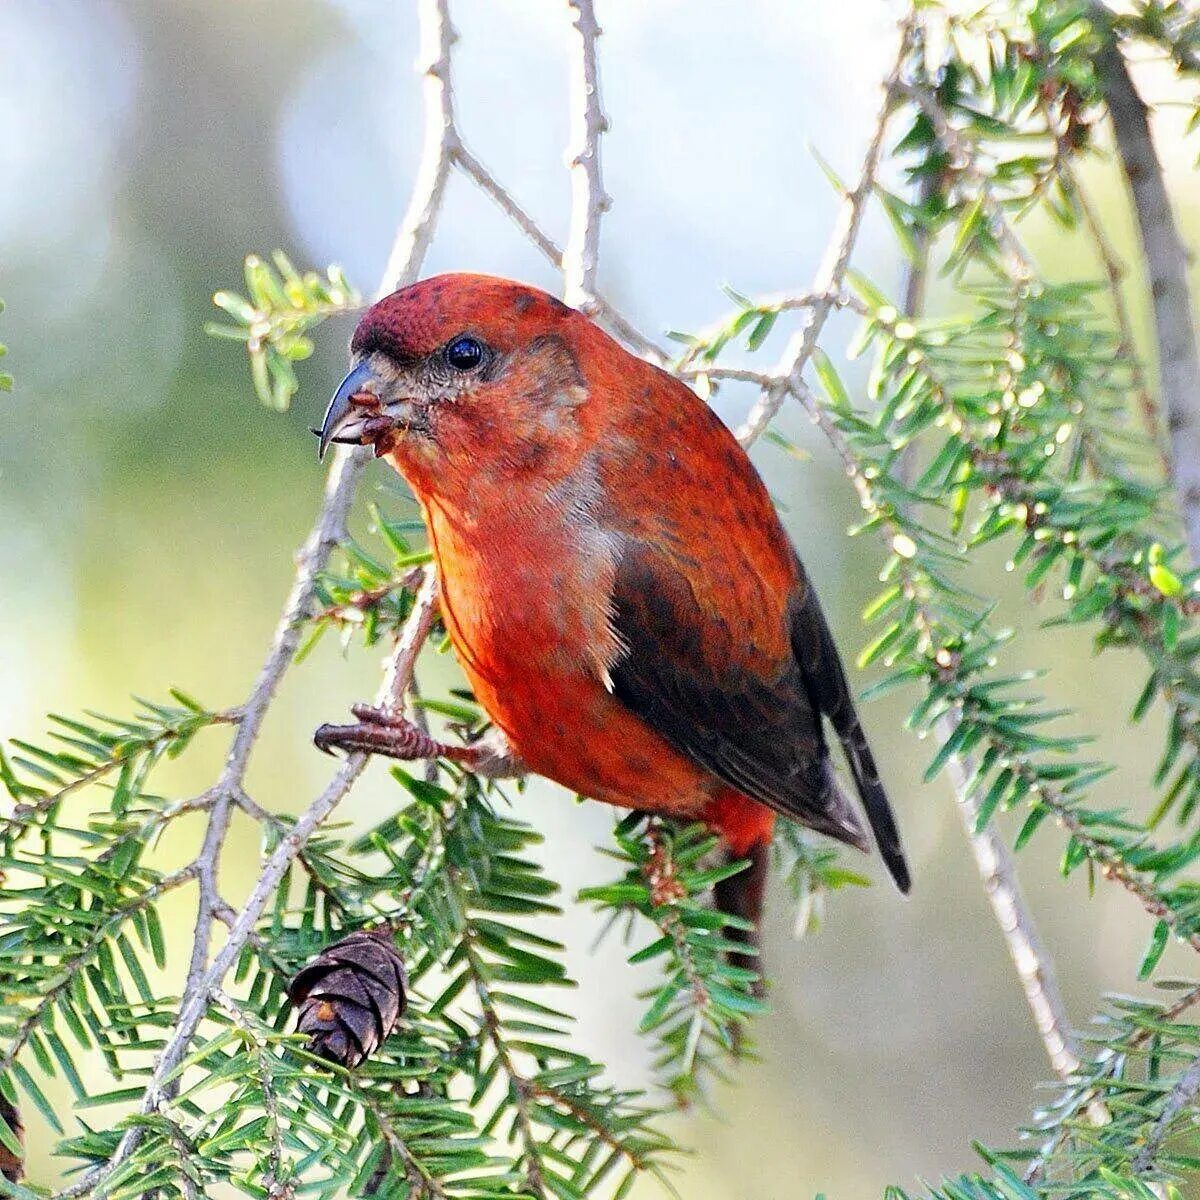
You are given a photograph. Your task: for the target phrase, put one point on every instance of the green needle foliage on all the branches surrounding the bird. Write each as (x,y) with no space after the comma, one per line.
(1009,421)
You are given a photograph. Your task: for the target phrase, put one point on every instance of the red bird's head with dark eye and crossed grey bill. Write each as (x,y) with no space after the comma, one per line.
(461,376)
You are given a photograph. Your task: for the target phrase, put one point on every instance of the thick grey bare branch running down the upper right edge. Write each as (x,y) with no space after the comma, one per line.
(1167,265)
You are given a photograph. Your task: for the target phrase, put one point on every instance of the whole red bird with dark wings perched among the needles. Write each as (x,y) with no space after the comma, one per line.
(614,577)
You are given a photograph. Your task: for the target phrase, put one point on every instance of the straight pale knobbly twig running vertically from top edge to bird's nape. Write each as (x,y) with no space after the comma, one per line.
(589,199)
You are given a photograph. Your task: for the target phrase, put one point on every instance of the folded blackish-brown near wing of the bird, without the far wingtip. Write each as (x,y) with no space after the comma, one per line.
(683,675)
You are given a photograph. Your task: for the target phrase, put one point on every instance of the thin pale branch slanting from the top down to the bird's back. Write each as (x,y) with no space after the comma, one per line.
(829,283)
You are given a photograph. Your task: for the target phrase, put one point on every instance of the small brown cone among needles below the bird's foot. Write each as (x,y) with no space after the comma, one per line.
(351,997)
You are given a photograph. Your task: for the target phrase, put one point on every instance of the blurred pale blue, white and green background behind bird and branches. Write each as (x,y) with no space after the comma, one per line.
(149,508)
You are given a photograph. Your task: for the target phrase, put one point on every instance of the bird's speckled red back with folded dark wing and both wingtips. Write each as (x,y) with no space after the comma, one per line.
(729,656)
